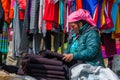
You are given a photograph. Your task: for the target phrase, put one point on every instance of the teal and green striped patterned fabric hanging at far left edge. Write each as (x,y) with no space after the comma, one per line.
(4,40)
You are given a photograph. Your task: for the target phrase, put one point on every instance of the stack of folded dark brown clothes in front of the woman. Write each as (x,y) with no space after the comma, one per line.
(46,66)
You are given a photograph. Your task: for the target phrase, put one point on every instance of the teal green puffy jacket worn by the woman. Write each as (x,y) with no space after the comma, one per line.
(86,46)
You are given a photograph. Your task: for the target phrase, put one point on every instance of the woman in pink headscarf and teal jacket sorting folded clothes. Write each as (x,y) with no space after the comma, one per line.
(84,41)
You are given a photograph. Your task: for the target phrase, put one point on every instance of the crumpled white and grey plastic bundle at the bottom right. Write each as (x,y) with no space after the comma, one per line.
(89,72)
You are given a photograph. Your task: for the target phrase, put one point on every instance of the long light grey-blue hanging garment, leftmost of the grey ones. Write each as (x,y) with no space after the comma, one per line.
(18,30)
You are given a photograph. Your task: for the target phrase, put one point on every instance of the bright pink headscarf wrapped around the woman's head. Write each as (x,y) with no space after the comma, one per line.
(81,14)
